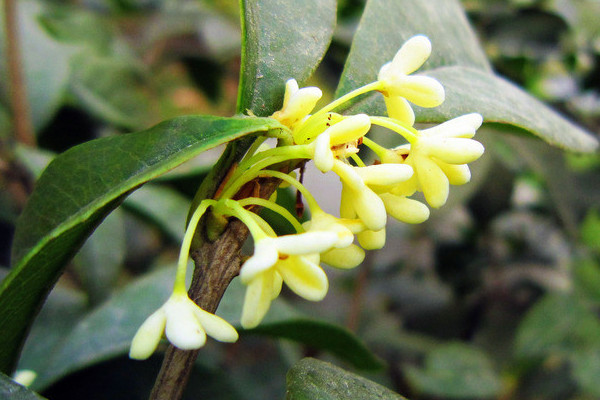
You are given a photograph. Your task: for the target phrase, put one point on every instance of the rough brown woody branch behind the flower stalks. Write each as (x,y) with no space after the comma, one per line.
(217,264)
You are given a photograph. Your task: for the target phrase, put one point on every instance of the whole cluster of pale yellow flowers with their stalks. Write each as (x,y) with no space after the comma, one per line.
(429,162)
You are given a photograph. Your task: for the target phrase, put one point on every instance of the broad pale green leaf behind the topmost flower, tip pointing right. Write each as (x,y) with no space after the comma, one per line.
(458,62)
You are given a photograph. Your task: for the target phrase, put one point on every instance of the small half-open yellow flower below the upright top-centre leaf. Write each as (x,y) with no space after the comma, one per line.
(297,103)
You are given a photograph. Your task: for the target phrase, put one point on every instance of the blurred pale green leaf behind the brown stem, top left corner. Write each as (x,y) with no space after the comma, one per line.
(45,62)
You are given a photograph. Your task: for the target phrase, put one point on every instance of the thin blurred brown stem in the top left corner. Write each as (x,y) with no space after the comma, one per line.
(22,124)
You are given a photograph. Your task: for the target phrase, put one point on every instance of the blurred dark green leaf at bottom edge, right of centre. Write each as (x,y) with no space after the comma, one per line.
(455,371)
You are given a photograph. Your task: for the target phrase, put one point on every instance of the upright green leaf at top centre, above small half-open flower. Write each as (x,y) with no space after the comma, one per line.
(281,40)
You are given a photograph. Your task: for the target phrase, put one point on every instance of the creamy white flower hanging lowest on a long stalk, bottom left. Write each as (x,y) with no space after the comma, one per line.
(184,324)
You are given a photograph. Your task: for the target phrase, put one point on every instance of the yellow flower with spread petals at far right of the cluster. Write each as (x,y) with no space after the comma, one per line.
(439,156)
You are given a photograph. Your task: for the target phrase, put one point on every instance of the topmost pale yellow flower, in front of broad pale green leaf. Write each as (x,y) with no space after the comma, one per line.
(399,87)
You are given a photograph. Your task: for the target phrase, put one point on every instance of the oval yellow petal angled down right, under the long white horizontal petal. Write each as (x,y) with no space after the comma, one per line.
(304,277)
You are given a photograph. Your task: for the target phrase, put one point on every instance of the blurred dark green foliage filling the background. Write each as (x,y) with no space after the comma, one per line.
(496,297)
